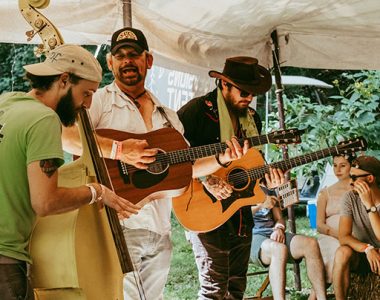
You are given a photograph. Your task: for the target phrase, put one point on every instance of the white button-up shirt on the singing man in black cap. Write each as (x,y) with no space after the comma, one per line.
(112,109)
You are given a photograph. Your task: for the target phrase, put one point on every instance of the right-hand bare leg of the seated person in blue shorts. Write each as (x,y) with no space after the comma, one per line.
(307,247)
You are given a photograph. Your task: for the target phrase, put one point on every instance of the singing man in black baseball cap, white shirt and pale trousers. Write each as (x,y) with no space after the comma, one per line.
(126,105)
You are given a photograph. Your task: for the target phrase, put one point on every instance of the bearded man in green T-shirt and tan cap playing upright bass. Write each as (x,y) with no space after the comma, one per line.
(31,152)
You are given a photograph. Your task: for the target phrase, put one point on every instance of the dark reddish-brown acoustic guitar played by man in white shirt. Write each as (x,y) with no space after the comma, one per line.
(171,173)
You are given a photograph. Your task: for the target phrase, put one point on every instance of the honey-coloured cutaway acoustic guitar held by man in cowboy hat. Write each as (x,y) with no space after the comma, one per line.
(197,210)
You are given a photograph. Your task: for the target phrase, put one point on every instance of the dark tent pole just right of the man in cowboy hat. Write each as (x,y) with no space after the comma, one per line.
(285,155)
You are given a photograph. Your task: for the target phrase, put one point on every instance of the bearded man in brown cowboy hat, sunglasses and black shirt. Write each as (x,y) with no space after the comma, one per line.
(222,255)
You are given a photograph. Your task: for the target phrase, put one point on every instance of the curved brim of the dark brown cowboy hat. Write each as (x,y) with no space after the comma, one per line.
(256,87)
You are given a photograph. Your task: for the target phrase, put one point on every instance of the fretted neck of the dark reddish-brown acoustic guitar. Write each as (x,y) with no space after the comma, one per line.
(193,153)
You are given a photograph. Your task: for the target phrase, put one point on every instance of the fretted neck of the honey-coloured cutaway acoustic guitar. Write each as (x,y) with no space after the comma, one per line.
(257,173)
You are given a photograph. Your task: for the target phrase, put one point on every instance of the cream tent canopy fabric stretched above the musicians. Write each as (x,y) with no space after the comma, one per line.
(334,34)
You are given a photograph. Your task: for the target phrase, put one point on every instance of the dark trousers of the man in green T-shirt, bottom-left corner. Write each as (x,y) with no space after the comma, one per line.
(14,284)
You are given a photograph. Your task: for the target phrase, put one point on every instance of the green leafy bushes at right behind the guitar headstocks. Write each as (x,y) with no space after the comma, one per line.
(356,114)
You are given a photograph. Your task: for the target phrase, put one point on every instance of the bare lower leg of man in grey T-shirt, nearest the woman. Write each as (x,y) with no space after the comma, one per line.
(341,272)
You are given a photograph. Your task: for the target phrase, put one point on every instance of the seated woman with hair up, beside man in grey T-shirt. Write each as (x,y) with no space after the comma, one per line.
(328,212)
